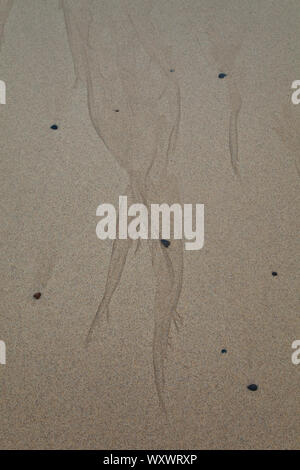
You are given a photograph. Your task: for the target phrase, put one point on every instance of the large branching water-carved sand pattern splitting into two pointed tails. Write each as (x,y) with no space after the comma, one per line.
(134,106)
